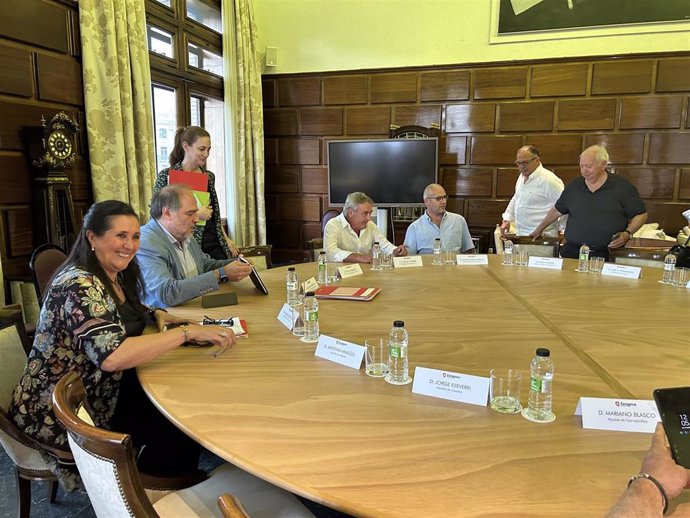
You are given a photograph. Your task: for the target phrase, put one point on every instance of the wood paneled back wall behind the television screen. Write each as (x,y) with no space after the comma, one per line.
(637,106)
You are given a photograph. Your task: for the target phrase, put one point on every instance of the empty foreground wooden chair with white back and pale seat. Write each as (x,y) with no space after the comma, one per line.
(108,469)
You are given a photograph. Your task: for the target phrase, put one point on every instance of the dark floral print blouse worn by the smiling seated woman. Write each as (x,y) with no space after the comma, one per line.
(78,328)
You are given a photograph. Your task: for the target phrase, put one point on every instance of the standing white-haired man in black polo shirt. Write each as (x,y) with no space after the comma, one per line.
(604,209)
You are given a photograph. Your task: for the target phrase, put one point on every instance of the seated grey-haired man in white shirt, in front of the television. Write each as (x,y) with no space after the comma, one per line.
(349,237)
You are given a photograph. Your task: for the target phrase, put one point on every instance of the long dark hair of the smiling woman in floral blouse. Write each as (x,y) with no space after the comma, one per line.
(98,220)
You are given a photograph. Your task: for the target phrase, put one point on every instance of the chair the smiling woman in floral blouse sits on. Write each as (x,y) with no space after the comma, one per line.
(22,450)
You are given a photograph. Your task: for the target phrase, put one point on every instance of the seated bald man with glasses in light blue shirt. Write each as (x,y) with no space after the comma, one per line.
(437,222)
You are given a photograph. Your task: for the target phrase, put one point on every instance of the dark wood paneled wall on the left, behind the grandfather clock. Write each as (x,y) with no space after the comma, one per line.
(41,75)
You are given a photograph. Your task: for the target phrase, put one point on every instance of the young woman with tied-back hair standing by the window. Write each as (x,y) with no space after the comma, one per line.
(191,150)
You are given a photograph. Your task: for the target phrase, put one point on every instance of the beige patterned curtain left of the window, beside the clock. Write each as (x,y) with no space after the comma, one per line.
(117,94)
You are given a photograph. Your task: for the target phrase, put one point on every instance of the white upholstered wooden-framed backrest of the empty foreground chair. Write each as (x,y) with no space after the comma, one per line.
(105,459)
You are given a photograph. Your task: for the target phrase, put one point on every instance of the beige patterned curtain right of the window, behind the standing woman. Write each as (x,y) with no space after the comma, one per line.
(245,138)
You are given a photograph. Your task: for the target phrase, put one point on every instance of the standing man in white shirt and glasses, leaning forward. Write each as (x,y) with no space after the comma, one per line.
(536,191)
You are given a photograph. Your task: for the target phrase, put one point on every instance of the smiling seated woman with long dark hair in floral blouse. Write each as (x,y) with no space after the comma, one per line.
(91,322)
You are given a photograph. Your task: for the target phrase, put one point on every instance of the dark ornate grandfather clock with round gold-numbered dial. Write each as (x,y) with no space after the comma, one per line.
(51,148)
